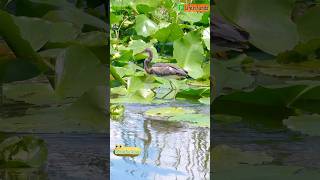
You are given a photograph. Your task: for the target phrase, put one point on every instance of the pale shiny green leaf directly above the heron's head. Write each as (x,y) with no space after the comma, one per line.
(144,26)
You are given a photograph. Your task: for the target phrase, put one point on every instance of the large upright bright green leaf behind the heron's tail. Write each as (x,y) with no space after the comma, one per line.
(189,54)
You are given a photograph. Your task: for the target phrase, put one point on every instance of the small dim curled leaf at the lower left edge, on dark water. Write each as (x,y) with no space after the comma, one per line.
(25,151)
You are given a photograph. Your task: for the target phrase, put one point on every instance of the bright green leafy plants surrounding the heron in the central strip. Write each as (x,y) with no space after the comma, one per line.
(173,36)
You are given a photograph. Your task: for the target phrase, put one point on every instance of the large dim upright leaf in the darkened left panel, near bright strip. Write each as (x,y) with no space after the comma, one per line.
(78,70)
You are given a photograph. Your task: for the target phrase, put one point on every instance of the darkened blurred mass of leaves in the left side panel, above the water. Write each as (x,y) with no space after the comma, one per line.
(53,57)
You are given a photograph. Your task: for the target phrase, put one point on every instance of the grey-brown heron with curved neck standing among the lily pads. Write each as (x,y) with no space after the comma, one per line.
(163,69)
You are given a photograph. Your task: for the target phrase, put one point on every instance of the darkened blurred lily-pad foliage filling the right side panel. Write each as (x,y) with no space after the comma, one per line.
(268,85)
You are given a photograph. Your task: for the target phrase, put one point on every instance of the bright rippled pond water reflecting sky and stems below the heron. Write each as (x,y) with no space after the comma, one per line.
(170,150)
